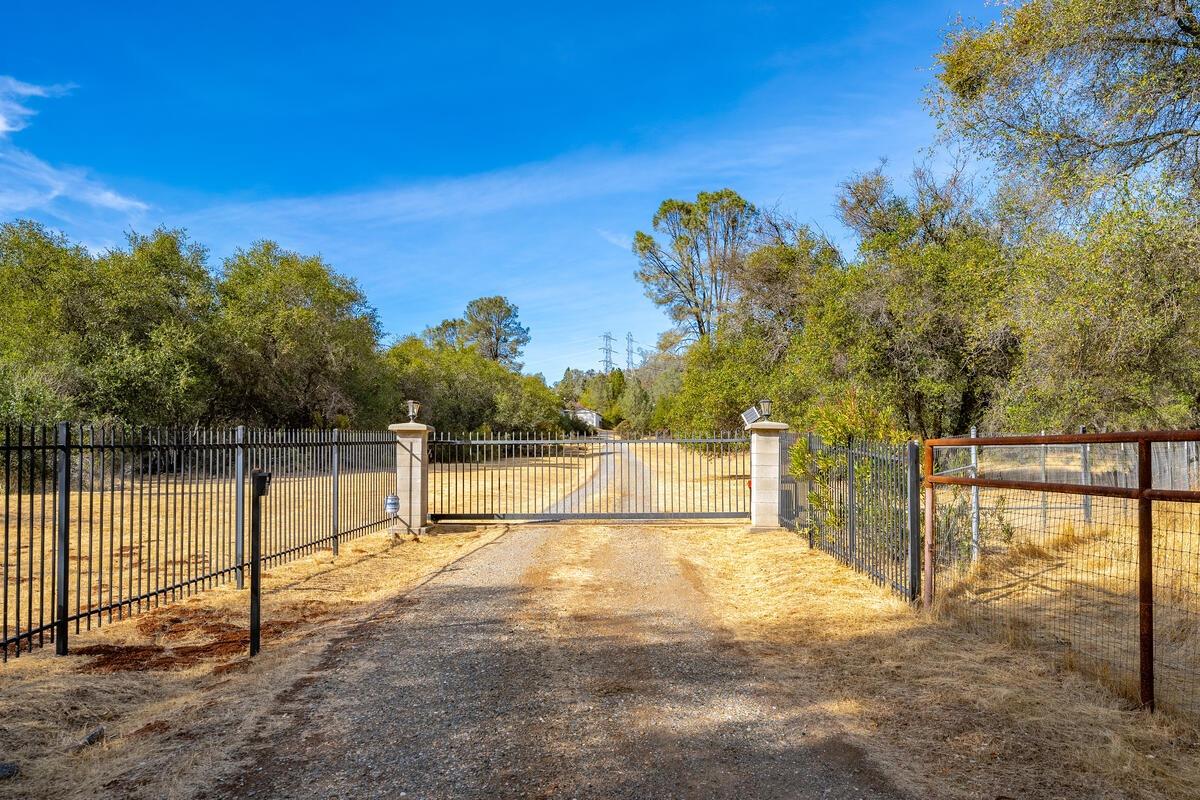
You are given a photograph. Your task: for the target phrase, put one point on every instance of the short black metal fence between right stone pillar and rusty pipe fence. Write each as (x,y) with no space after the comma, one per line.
(863,506)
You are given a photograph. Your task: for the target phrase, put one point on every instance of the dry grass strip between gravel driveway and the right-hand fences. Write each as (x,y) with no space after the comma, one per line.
(955,714)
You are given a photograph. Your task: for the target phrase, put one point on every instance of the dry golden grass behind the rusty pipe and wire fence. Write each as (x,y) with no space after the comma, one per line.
(1052,582)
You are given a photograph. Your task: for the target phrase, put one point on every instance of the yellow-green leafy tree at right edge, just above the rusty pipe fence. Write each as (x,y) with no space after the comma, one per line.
(1107,323)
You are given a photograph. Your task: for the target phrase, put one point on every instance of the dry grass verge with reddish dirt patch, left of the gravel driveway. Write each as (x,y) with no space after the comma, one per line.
(173,688)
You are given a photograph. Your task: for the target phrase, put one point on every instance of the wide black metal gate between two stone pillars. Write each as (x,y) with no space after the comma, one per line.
(533,477)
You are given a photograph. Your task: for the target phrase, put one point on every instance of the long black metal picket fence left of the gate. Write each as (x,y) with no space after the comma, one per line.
(103,522)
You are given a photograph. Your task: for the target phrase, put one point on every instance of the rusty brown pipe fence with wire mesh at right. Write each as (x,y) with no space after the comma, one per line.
(1085,546)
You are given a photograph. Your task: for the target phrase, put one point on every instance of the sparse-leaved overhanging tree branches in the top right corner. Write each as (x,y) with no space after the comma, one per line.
(1079,92)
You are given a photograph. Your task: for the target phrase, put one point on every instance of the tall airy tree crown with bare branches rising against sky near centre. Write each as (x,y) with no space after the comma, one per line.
(691,272)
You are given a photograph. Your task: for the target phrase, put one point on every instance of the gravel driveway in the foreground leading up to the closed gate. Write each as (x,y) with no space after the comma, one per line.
(561,661)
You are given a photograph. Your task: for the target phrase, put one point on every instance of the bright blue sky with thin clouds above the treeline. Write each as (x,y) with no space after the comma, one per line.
(440,153)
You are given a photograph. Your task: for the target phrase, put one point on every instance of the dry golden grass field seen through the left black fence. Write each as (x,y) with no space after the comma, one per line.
(160,533)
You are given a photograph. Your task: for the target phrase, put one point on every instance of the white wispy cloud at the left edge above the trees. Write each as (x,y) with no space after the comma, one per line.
(31,185)
